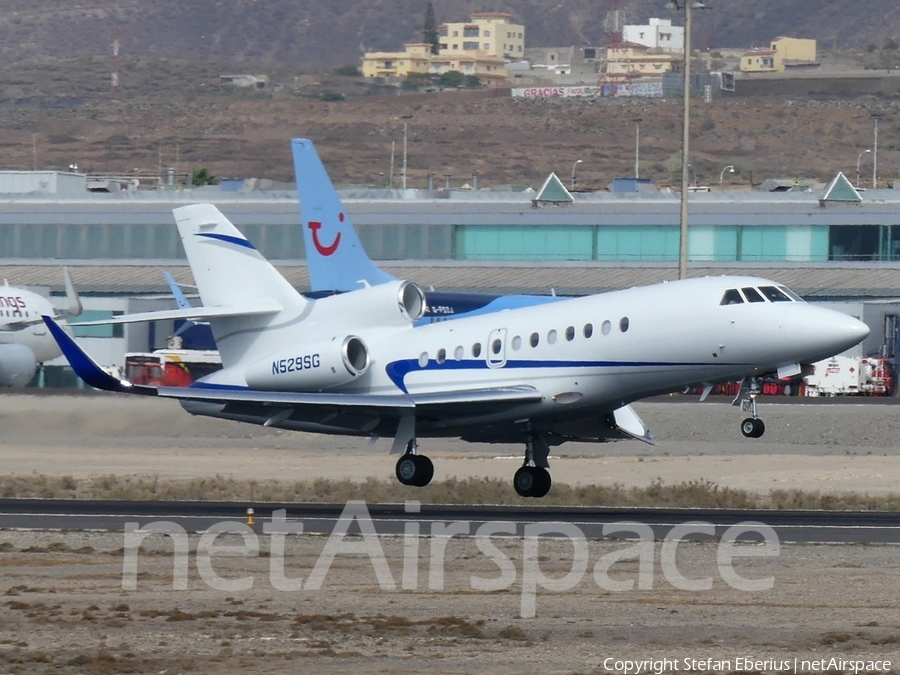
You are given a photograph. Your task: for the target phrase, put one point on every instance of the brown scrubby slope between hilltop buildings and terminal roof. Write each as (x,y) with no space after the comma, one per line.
(177,115)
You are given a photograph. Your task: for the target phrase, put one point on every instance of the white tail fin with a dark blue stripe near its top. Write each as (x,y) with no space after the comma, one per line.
(227,269)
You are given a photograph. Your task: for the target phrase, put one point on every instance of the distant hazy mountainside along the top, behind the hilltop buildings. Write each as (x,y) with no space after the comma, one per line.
(311,34)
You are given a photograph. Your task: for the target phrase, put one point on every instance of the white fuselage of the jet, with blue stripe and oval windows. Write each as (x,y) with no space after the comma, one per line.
(591,355)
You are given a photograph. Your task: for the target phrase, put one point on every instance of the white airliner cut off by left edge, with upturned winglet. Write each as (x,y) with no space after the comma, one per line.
(24,340)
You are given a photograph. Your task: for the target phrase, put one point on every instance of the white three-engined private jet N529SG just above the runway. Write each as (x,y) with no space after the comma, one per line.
(355,363)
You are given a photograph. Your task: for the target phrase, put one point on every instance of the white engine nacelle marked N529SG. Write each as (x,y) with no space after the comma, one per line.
(311,367)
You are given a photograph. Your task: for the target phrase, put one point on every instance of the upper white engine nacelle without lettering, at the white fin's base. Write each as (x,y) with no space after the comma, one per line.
(397,303)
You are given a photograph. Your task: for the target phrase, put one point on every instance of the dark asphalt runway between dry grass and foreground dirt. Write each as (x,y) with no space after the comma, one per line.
(808,527)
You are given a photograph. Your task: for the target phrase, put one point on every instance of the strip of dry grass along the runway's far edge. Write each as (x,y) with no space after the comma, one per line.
(698,493)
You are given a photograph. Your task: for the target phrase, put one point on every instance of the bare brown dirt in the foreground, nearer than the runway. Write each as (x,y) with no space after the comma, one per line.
(65,610)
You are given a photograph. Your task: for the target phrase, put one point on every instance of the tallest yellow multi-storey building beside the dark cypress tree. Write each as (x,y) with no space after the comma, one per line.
(489,32)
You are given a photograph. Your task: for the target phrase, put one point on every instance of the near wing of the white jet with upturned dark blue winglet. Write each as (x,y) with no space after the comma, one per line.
(462,402)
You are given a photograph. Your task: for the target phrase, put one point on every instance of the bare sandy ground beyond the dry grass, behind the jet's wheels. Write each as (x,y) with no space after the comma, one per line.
(815,446)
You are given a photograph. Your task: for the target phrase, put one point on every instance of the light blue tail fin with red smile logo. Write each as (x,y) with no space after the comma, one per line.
(335,257)
